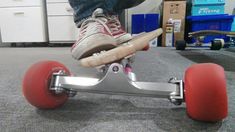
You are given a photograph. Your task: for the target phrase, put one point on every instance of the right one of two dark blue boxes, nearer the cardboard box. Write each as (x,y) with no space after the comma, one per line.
(151,22)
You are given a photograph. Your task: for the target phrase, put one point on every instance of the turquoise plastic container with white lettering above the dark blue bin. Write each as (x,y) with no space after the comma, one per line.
(207,7)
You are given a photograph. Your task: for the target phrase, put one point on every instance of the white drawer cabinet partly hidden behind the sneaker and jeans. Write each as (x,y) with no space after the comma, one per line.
(61,26)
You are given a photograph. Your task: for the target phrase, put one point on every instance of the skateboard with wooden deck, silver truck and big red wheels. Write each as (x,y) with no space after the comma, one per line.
(49,84)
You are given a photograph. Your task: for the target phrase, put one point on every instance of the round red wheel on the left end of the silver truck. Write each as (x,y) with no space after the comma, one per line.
(36,85)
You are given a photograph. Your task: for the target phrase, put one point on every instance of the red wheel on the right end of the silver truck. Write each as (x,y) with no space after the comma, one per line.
(205,92)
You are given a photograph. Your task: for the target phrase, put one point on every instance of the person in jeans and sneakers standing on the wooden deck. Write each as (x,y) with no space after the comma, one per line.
(100,28)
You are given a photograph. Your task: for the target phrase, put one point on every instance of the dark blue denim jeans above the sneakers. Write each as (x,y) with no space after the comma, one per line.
(84,8)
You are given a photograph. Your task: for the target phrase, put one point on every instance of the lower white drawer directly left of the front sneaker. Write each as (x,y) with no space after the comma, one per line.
(62,29)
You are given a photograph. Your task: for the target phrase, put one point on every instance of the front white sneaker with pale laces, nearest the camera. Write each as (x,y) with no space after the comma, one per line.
(94,36)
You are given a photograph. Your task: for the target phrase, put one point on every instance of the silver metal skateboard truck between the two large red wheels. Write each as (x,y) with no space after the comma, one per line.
(117,81)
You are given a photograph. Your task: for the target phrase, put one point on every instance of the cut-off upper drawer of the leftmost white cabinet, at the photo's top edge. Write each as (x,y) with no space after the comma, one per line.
(14,3)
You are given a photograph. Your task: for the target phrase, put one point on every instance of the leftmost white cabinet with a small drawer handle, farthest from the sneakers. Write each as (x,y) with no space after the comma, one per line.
(22,21)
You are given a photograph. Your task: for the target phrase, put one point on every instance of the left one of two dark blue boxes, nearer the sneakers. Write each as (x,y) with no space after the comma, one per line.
(137,23)
